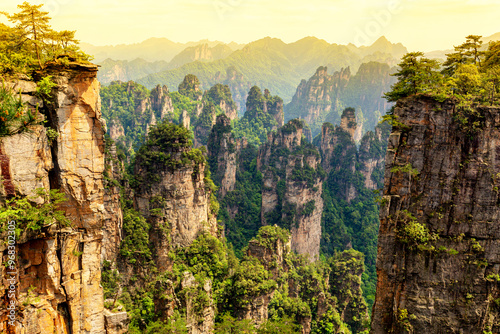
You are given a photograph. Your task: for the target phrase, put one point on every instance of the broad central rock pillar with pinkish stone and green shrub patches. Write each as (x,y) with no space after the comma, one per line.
(293,179)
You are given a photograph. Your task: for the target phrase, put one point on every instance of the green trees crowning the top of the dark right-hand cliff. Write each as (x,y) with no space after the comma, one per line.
(469,75)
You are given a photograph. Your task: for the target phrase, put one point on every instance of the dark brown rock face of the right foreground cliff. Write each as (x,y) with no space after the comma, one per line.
(438,260)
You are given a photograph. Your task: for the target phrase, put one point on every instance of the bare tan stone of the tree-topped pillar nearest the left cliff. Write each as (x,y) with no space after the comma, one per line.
(183,201)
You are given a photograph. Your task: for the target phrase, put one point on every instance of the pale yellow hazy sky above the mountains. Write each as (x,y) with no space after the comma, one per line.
(418,24)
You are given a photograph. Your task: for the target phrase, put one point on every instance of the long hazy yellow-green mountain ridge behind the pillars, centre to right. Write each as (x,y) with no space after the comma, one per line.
(271,63)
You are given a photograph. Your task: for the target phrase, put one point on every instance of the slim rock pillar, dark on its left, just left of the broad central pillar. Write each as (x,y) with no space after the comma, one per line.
(223,151)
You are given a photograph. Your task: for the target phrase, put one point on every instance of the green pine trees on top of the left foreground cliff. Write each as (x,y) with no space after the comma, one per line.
(30,43)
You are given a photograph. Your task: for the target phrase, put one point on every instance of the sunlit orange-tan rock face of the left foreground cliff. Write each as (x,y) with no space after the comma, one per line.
(60,267)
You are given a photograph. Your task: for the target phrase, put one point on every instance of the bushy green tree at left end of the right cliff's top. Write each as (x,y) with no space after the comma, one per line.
(416,74)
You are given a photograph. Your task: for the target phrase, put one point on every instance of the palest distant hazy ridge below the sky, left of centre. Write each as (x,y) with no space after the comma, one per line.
(153,49)
